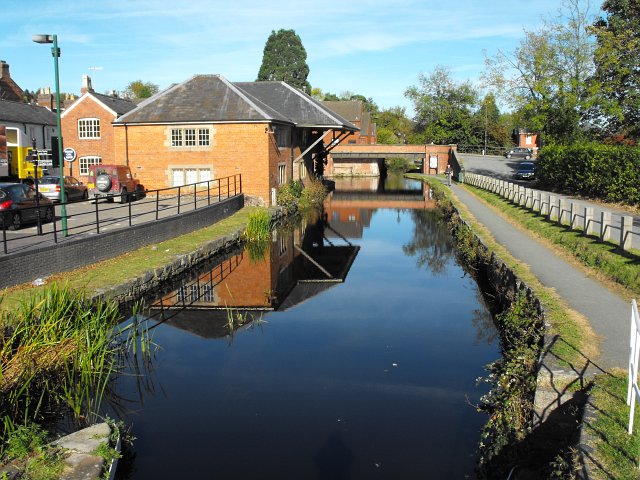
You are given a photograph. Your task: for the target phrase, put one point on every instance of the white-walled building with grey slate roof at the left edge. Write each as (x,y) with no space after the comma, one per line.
(24,124)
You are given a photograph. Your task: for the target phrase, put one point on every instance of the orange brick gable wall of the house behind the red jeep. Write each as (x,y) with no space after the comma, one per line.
(88,107)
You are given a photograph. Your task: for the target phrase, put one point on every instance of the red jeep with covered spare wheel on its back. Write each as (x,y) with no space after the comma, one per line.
(110,181)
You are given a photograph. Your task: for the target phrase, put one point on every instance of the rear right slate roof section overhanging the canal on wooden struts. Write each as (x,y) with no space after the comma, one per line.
(300,108)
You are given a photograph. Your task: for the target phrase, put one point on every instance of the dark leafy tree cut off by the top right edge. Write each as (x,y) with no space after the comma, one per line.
(618,67)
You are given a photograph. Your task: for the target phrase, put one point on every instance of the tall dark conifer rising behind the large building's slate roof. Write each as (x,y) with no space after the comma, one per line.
(285,59)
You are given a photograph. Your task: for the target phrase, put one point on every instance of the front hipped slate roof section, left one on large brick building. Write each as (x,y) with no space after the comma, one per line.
(203,98)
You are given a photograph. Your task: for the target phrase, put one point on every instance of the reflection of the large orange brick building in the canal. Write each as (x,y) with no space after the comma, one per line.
(294,266)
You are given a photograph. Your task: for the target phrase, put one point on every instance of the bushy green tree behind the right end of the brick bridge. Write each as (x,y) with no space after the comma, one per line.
(443,109)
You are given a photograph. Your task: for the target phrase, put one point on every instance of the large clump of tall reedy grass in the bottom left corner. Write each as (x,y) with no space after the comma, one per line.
(58,351)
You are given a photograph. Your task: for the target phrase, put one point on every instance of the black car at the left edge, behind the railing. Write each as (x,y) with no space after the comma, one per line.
(19,204)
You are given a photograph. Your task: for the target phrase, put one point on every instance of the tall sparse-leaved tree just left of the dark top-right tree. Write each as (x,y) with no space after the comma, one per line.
(546,79)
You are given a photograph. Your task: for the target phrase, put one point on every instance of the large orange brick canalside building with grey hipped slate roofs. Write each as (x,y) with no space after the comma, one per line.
(207,128)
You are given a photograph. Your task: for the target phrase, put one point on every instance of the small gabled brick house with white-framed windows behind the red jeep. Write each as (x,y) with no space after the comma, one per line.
(87,127)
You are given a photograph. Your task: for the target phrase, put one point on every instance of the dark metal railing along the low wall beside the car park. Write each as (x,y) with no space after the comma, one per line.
(95,216)
